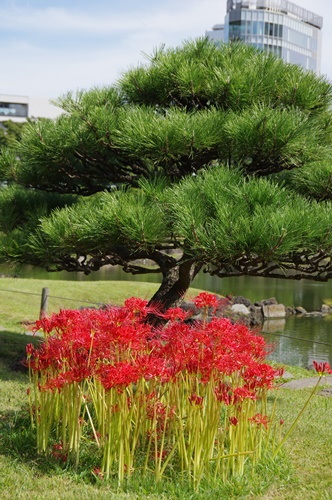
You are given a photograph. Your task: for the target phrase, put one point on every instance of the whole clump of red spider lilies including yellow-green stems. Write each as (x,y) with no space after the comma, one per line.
(147,386)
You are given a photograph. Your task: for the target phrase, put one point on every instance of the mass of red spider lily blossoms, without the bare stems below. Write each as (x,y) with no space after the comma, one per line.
(118,347)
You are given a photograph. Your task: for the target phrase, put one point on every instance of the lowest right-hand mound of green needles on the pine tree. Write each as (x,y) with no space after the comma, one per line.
(224,220)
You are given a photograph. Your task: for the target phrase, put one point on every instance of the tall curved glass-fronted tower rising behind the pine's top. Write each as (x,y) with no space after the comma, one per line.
(276,26)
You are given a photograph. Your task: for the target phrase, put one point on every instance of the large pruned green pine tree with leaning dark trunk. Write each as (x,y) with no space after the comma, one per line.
(213,158)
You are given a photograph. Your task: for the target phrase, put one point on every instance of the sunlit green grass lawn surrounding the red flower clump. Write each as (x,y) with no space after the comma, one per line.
(305,470)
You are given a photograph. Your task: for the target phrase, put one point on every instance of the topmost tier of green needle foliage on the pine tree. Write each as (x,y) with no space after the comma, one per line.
(233,76)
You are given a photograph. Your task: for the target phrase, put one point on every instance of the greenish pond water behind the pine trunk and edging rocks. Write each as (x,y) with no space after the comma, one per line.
(297,340)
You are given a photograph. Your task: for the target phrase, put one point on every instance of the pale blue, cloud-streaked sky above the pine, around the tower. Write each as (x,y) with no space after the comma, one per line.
(50,47)
